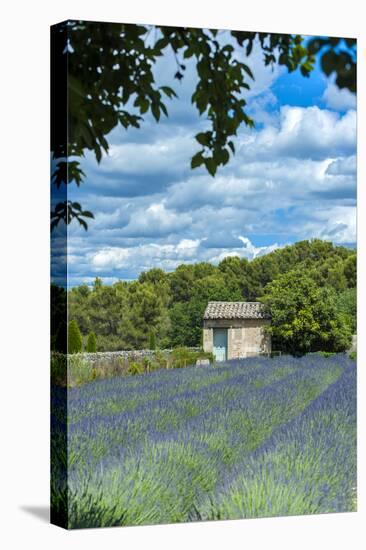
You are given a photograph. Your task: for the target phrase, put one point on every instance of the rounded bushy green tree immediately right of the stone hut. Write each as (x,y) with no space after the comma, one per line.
(304,317)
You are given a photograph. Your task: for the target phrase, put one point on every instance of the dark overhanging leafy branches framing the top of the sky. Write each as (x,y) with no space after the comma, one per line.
(110,78)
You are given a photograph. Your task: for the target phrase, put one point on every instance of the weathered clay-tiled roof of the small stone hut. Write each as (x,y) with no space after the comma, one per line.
(235,310)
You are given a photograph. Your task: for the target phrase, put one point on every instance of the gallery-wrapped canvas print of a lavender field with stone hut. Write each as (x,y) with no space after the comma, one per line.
(203,267)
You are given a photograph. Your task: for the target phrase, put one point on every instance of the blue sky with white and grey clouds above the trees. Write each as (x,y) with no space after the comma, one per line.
(293,177)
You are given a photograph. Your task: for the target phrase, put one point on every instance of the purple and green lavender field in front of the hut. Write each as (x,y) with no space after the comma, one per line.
(251,438)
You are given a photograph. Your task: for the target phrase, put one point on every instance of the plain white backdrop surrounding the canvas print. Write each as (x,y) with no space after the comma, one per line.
(24,355)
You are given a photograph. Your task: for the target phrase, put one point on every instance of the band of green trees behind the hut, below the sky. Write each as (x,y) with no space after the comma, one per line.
(310,288)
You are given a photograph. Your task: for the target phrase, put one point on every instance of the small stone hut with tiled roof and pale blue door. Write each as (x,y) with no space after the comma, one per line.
(233,330)
